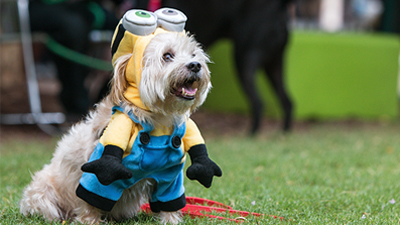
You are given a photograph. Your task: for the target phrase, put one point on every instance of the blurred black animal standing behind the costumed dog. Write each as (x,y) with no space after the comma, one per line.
(258,29)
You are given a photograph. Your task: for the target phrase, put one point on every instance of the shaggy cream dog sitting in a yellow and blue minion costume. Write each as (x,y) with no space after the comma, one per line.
(131,148)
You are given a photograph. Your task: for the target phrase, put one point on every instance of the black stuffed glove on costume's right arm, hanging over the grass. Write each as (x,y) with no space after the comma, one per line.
(203,168)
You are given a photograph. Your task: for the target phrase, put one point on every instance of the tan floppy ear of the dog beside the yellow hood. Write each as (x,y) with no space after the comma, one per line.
(119,82)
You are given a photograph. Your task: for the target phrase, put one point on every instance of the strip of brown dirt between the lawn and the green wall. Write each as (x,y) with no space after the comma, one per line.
(214,125)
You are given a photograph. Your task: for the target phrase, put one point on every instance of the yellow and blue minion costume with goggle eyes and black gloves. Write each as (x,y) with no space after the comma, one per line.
(129,150)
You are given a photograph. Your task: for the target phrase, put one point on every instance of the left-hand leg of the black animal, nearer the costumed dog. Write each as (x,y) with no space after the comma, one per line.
(247,63)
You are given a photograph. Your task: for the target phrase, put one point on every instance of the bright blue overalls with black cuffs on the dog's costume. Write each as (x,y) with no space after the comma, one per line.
(157,157)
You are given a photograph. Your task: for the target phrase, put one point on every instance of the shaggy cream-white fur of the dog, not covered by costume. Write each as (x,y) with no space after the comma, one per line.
(52,190)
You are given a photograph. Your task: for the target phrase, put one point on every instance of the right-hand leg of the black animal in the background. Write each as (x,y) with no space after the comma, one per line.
(274,71)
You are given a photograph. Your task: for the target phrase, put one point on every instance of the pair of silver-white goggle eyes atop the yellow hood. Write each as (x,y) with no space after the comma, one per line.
(142,22)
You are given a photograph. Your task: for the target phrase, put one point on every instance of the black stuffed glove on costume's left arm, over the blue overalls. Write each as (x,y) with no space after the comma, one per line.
(109,167)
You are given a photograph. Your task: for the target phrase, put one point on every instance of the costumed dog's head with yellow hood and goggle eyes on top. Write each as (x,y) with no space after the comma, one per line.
(162,70)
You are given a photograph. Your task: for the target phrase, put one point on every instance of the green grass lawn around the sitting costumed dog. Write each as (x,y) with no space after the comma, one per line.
(320,174)
